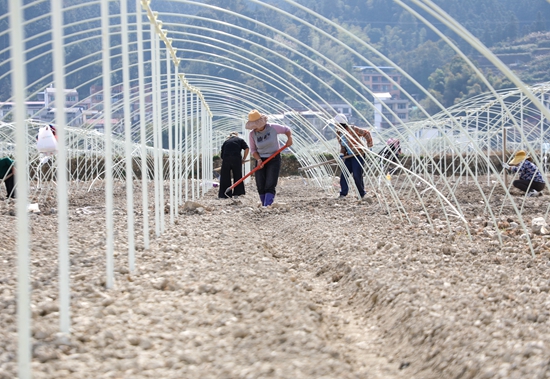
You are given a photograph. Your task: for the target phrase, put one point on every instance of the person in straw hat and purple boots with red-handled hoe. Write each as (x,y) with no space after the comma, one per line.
(263,143)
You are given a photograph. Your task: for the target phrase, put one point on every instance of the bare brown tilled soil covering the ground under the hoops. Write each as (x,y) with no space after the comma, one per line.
(312,287)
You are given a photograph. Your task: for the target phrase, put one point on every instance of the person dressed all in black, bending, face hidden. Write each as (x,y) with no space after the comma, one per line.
(232,163)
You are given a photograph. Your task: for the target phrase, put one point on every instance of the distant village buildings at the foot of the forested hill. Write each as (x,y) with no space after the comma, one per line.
(88,112)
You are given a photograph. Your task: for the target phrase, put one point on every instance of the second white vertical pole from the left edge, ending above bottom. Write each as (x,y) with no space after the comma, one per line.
(62,201)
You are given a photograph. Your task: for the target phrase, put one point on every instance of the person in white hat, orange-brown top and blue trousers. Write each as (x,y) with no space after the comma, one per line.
(349,137)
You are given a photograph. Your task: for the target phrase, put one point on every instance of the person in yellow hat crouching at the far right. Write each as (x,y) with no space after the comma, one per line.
(530,178)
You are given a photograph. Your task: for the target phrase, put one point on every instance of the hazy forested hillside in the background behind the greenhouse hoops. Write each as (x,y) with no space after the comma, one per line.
(515,30)
